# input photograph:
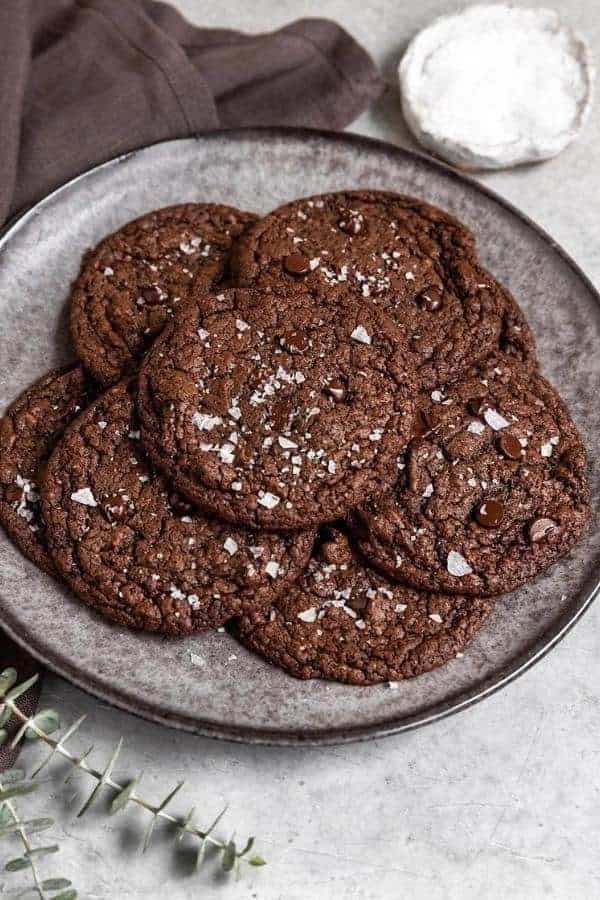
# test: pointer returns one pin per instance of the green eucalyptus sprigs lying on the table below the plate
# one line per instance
(40, 727)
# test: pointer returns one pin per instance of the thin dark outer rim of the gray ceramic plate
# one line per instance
(328, 736)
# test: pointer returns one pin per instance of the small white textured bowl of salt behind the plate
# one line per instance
(495, 86)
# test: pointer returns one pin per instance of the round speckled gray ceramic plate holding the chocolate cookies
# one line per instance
(209, 684)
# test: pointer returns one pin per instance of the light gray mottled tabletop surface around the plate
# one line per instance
(501, 801)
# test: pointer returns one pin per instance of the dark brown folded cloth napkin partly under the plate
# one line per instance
(84, 80)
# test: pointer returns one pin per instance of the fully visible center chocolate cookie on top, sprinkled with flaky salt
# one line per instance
(275, 410)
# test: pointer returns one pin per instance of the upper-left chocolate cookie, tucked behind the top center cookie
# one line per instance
(131, 283)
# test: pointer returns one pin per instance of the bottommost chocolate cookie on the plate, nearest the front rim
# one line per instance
(345, 622)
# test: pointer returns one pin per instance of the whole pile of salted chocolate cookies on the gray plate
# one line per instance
(326, 427)
